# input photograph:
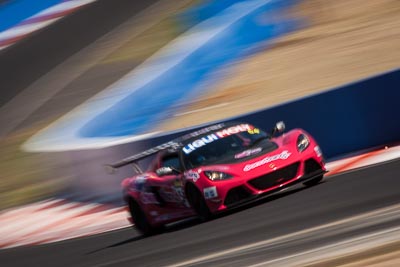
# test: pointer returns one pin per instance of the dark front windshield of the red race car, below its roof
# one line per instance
(211, 149)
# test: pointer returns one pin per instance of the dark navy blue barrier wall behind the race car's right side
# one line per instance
(351, 118)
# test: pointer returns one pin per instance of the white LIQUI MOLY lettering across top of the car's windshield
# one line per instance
(217, 135)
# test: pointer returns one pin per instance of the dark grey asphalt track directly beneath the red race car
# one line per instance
(339, 197)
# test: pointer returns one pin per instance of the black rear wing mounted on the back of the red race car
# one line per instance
(142, 155)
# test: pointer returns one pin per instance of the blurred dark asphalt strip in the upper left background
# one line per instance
(26, 61)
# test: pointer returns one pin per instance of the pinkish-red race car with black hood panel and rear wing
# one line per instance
(215, 169)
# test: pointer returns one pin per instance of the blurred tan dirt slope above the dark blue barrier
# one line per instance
(346, 40)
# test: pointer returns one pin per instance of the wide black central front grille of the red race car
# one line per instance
(277, 177)
